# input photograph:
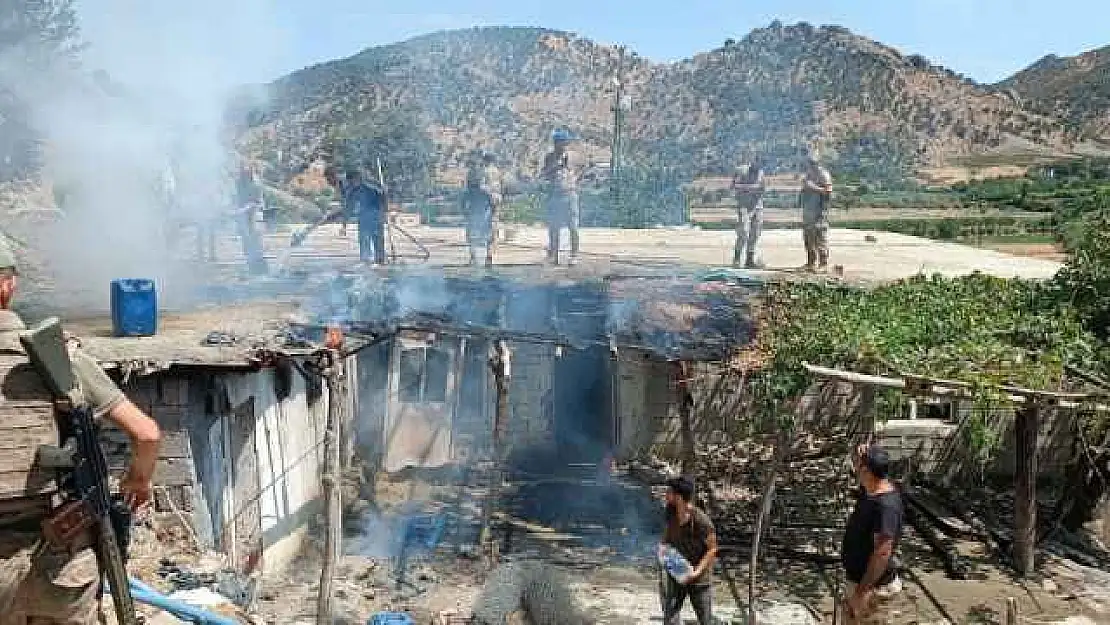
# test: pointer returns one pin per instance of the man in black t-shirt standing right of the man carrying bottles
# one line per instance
(872, 537)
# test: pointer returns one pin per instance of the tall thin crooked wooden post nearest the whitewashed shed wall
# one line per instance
(334, 375)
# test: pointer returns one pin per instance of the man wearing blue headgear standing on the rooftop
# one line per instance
(561, 174)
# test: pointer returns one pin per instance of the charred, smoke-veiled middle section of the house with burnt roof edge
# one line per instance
(593, 369)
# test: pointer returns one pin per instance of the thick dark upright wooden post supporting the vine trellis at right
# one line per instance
(1025, 488)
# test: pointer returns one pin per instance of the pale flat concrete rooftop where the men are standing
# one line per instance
(613, 251)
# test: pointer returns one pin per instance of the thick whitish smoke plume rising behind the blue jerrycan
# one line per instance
(152, 88)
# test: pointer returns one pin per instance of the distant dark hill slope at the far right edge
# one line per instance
(1077, 89)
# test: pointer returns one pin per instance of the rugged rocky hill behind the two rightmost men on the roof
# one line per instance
(833, 85)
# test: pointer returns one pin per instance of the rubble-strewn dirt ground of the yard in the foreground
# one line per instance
(619, 586)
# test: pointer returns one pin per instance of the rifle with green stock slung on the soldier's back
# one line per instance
(90, 506)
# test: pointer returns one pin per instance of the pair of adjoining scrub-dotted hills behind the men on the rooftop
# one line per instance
(773, 93)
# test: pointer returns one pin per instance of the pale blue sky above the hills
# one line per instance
(259, 41)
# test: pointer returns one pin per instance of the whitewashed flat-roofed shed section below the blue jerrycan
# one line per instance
(243, 419)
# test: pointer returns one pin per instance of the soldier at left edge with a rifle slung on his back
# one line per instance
(41, 583)
